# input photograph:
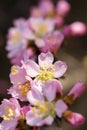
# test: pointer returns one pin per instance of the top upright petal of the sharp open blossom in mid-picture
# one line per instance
(45, 60)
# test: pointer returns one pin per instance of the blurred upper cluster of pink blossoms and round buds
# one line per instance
(44, 30)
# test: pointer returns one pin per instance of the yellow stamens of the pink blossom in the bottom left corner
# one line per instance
(9, 113)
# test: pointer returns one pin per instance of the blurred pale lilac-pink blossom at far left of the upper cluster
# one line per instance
(18, 40)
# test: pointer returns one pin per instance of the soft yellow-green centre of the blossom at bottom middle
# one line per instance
(43, 109)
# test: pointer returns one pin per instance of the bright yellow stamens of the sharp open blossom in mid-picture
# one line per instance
(45, 75)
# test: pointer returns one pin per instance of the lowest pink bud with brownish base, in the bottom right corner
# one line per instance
(74, 119)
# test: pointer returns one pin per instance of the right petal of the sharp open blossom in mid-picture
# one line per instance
(59, 69)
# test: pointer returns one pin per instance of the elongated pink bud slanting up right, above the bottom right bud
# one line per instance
(77, 90)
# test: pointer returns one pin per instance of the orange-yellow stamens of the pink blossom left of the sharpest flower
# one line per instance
(24, 88)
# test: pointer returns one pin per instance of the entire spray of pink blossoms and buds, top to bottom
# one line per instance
(37, 95)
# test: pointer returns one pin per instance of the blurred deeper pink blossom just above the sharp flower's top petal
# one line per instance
(52, 42)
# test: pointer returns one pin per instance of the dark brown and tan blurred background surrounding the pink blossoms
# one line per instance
(74, 53)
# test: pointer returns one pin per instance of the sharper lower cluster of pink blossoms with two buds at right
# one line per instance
(38, 86)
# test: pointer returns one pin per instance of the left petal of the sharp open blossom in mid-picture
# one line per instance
(32, 69)
